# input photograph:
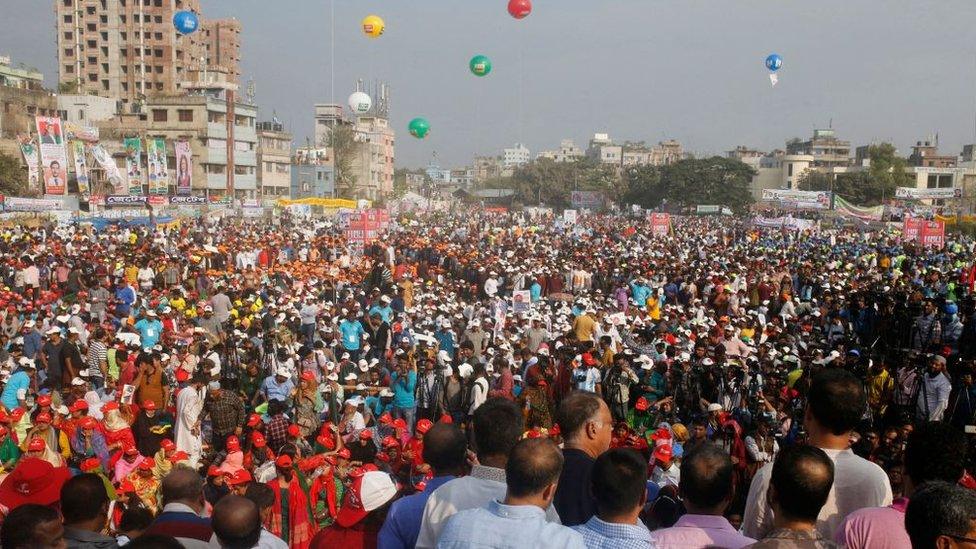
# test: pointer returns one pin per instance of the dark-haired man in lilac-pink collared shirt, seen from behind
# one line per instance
(706, 488)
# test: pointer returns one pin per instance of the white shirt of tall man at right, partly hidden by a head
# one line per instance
(858, 483)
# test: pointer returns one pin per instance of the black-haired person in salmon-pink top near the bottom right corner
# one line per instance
(935, 451)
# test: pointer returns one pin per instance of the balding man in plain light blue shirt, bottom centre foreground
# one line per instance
(531, 475)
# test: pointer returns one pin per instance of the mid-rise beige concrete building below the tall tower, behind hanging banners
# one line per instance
(220, 129)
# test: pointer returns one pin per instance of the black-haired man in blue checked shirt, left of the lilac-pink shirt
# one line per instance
(617, 483)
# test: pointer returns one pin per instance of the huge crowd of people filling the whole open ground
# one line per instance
(486, 380)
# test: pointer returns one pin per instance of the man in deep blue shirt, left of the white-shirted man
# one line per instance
(445, 452)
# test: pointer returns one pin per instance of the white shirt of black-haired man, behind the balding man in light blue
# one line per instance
(485, 484)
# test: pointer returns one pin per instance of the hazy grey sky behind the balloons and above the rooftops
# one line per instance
(893, 70)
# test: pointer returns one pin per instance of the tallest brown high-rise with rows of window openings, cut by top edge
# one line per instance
(124, 50)
